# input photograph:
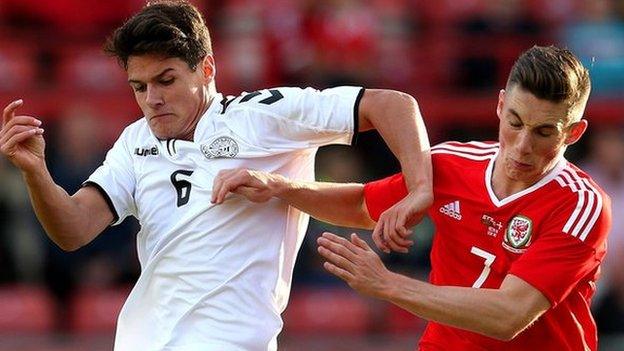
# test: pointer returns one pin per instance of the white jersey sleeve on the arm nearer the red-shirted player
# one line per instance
(295, 118)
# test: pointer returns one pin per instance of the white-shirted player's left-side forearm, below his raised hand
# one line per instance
(63, 219)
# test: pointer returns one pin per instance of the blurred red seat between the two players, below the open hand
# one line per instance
(328, 312)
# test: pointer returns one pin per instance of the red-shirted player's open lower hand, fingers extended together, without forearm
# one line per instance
(355, 263)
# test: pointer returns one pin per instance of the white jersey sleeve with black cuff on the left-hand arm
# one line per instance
(115, 180)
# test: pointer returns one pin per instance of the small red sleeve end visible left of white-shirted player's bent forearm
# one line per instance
(382, 194)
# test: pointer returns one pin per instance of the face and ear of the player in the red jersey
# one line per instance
(533, 135)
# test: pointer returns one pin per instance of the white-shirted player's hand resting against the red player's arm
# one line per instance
(391, 230)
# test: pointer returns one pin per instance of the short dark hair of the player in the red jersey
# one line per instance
(551, 73)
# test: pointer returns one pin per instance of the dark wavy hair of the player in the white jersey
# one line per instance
(168, 28)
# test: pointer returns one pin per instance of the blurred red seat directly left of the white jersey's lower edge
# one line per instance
(94, 311)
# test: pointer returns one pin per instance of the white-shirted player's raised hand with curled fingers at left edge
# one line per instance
(21, 138)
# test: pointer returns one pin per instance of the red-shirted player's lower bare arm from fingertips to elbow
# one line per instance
(498, 313)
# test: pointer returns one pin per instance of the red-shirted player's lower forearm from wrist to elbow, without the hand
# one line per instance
(485, 311)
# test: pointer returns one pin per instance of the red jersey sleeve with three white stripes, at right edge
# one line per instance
(561, 256)
